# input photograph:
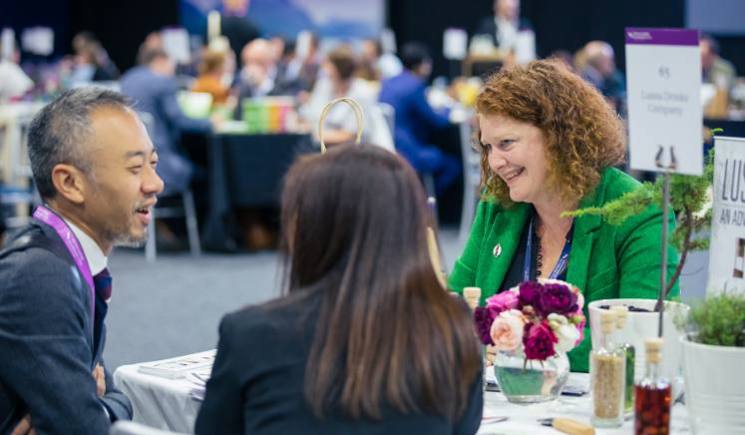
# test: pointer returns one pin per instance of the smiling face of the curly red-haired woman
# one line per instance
(517, 154)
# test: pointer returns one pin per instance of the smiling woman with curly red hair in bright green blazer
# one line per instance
(549, 143)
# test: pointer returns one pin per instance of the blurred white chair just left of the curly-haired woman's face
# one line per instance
(471, 179)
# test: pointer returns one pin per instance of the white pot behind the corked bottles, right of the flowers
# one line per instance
(643, 325)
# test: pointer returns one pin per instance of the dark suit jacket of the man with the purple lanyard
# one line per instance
(49, 345)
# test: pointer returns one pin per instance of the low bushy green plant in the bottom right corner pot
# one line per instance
(719, 321)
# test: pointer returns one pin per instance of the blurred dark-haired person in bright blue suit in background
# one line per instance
(415, 119)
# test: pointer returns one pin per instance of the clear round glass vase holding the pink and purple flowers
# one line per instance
(531, 381)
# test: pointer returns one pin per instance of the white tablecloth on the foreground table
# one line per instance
(167, 404)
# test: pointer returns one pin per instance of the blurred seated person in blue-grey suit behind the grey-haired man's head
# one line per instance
(153, 88)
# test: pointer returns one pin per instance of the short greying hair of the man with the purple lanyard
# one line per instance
(58, 133)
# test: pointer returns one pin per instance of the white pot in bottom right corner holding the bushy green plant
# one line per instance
(715, 387)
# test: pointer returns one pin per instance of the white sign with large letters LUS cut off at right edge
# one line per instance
(727, 248)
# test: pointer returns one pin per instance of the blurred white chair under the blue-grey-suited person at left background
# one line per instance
(187, 210)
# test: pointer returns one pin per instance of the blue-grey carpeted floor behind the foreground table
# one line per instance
(173, 306)
